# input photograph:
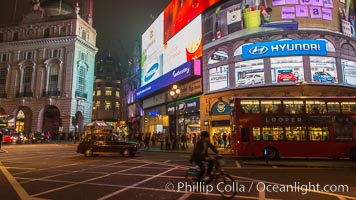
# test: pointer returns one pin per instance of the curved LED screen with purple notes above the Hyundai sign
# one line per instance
(237, 18)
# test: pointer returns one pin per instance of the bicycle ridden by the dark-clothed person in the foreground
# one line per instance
(223, 180)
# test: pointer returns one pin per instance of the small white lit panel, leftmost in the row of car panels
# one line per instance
(219, 78)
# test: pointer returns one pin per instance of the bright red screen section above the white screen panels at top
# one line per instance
(179, 13)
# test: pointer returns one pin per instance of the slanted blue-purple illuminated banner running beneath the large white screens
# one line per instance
(181, 72)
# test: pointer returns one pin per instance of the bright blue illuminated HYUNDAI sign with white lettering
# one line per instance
(284, 48)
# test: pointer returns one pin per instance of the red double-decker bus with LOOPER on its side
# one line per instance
(295, 127)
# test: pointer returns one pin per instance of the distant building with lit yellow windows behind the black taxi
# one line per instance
(106, 96)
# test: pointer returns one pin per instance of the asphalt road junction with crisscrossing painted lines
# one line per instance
(56, 171)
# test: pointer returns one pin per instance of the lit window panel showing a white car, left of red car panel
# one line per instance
(249, 73)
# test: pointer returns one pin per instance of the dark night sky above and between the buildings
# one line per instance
(118, 22)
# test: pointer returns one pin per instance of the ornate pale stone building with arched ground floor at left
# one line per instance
(47, 69)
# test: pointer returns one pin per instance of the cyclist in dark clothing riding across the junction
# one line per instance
(200, 154)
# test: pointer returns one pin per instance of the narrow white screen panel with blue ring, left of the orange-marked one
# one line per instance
(152, 52)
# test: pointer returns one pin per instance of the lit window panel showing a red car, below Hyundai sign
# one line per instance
(287, 69)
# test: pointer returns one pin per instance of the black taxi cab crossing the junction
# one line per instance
(106, 143)
